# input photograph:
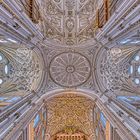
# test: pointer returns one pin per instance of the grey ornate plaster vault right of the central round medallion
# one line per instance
(113, 70)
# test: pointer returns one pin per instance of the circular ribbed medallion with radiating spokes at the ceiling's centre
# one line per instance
(69, 69)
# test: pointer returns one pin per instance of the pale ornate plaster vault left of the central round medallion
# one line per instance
(24, 68)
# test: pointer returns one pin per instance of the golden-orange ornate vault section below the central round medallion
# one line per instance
(70, 111)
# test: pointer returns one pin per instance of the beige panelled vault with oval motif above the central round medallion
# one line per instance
(69, 22)
